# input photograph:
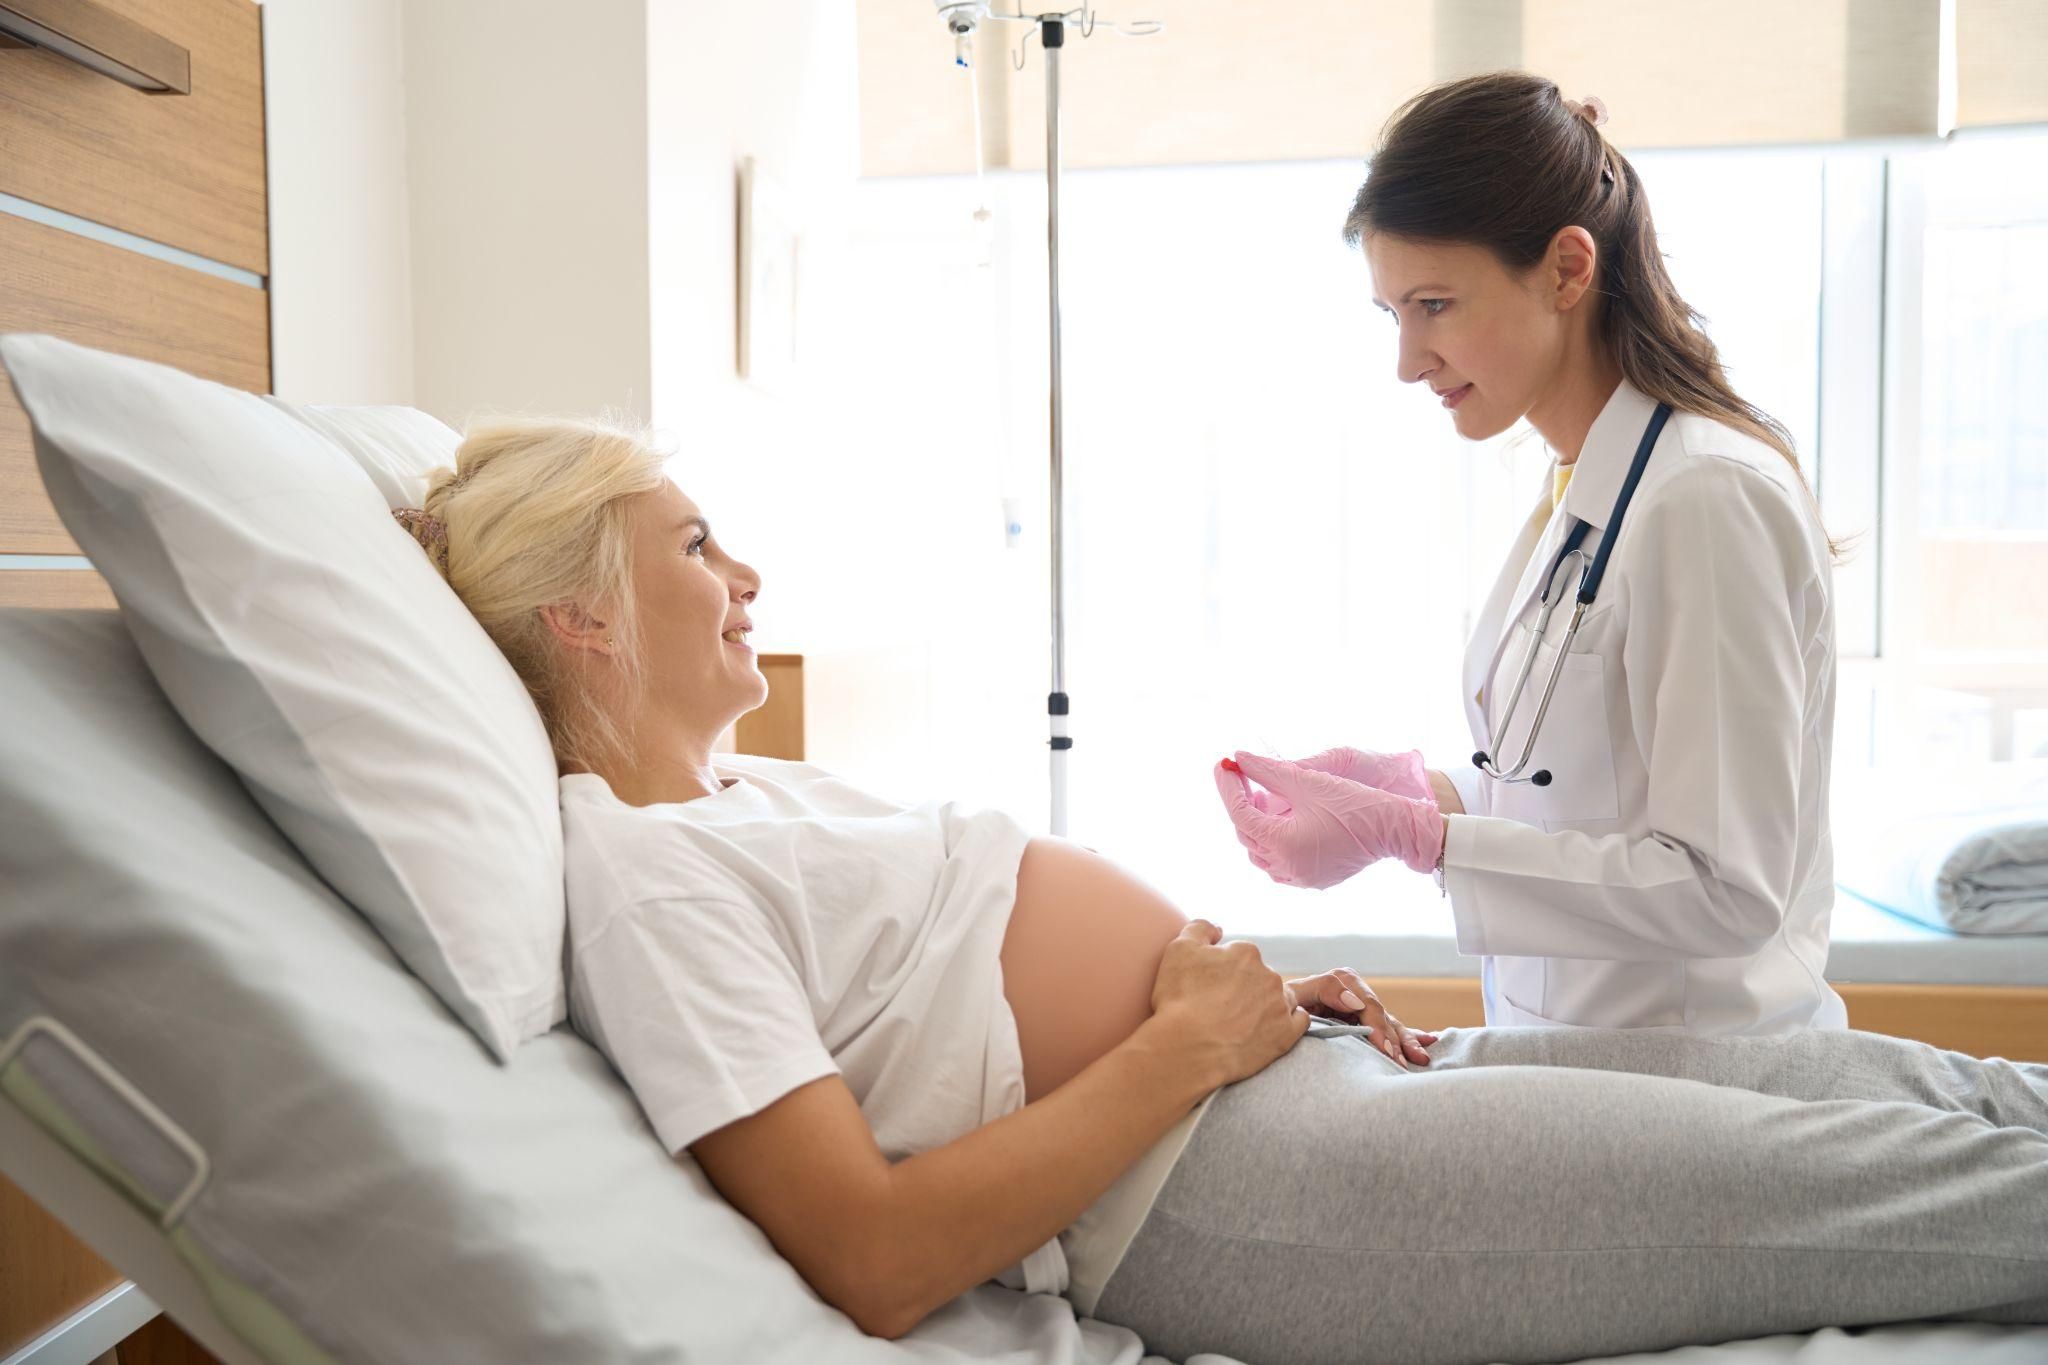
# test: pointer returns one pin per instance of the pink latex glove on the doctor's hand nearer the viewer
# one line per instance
(1330, 826)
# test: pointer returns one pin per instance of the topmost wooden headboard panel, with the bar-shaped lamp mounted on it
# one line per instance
(179, 169)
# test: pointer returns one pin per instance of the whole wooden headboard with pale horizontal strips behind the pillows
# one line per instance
(130, 222)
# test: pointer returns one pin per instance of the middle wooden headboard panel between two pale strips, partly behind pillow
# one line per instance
(116, 300)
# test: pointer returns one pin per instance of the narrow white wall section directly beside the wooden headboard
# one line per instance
(341, 273)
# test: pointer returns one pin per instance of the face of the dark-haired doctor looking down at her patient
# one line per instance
(1484, 339)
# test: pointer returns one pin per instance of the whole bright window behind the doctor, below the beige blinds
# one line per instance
(1273, 545)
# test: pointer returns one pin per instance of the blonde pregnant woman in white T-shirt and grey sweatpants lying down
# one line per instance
(923, 1049)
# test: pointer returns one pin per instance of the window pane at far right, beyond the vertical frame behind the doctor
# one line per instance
(1963, 672)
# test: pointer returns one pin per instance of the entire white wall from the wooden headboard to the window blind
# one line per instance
(478, 208)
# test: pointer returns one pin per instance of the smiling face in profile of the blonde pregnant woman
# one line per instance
(693, 615)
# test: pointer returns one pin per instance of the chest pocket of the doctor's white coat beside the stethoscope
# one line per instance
(1574, 744)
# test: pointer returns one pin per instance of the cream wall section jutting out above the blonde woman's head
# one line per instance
(527, 175)
